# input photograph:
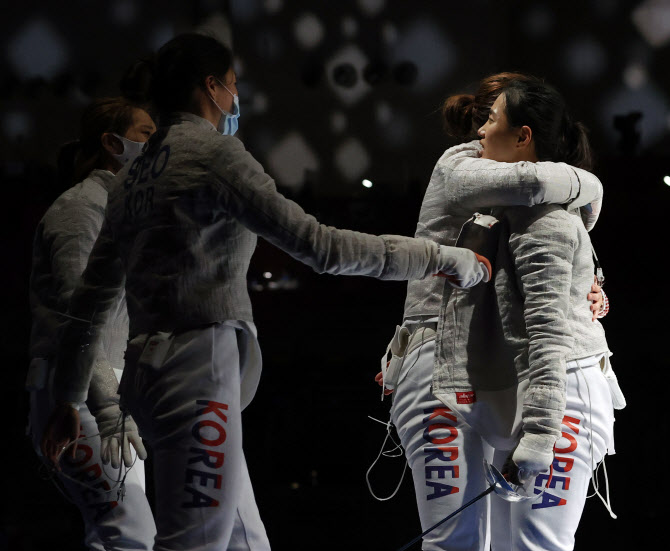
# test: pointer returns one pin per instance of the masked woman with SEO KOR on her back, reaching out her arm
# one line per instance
(180, 228)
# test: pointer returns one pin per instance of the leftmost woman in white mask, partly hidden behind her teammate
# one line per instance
(62, 244)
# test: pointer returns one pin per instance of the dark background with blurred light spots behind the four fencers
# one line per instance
(332, 93)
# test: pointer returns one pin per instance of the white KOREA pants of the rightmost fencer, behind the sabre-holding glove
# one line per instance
(550, 522)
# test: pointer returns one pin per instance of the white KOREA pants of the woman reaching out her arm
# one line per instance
(188, 411)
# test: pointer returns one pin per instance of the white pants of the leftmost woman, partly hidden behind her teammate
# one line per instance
(109, 522)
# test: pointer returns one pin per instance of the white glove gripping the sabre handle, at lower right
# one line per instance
(532, 456)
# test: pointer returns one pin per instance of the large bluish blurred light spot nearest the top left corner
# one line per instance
(38, 50)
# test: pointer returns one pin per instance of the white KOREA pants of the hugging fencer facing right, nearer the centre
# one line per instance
(446, 457)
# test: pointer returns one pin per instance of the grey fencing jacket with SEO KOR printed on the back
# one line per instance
(179, 232)
